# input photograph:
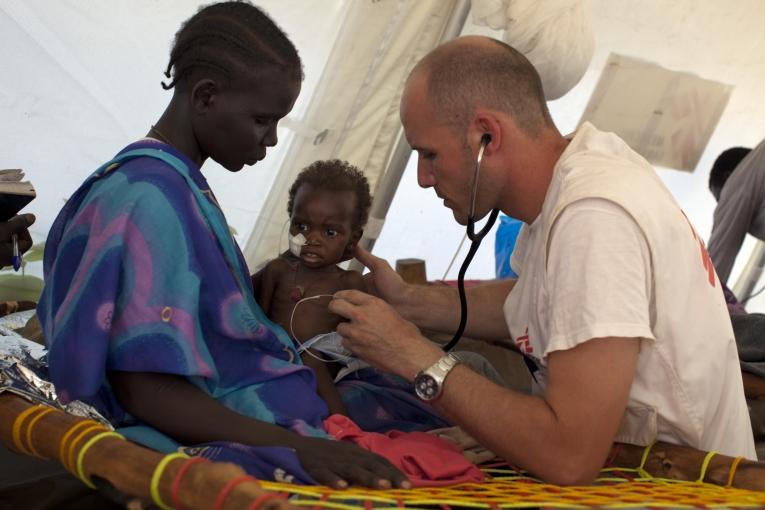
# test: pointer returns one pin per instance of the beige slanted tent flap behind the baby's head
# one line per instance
(355, 114)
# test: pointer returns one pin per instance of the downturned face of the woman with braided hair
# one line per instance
(239, 122)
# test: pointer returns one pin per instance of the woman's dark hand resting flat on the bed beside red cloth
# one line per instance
(339, 464)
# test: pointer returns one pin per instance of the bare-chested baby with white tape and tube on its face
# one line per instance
(328, 207)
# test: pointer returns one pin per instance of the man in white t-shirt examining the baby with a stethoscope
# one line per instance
(624, 320)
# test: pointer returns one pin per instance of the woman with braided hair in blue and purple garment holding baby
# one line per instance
(147, 308)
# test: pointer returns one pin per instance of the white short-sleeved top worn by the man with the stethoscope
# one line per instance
(612, 255)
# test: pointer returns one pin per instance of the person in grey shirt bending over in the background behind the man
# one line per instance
(737, 181)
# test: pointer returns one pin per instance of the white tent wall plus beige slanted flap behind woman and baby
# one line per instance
(82, 80)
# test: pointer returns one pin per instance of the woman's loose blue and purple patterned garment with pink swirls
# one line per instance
(142, 274)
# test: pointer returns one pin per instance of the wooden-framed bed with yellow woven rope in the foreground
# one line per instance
(101, 457)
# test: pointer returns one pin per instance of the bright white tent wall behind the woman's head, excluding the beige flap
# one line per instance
(81, 78)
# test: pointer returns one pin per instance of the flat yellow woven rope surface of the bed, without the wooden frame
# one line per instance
(509, 488)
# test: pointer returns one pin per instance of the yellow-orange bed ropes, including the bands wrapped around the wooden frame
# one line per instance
(506, 487)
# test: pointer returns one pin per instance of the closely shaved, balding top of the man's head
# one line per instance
(479, 72)
